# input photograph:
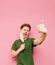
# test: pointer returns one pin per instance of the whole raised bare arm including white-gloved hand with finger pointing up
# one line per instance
(41, 29)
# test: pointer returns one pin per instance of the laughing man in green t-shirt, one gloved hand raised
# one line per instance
(23, 48)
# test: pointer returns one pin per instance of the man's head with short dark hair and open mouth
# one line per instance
(25, 29)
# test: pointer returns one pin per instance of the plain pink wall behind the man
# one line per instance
(15, 12)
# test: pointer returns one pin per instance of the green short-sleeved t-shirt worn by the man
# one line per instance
(24, 57)
